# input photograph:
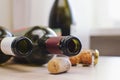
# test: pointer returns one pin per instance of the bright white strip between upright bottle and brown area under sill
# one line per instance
(83, 17)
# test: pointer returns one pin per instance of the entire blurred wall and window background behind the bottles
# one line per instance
(97, 22)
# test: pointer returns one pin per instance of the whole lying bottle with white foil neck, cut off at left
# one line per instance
(13, 46)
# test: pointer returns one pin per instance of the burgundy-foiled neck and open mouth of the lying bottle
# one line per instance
(66, 45)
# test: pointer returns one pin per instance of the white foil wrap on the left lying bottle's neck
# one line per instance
(6, 45)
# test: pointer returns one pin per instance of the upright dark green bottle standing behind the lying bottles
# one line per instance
(60, 18)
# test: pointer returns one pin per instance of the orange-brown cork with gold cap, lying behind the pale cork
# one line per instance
(85, 57)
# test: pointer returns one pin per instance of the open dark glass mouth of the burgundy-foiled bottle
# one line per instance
(72, 45)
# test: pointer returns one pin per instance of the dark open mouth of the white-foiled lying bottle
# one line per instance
(22, 46)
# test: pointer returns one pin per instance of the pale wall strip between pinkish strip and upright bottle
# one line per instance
(40, 12)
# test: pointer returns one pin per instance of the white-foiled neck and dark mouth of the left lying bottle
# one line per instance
(14, 46)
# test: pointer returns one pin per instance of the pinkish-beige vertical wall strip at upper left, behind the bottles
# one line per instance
(21, 13)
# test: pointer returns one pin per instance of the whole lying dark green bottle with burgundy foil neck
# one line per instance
(45, 46)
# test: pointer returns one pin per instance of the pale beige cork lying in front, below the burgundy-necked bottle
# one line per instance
(58, 65)
